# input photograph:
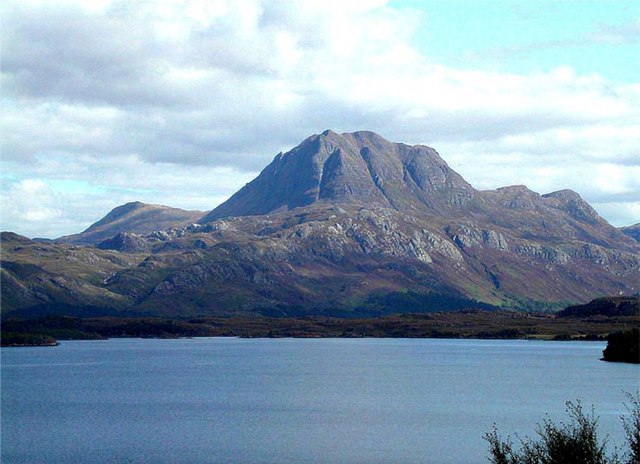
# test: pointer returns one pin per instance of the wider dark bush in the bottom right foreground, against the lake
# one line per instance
(576, 442)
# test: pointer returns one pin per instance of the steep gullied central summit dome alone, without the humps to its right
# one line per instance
(350, 168)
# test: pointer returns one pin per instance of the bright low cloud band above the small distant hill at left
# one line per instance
(53, 202)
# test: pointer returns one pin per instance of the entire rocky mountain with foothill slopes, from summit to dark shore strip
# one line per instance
(342, 224)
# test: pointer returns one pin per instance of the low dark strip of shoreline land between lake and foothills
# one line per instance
(455, 324)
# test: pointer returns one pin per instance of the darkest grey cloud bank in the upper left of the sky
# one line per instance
(72, 56)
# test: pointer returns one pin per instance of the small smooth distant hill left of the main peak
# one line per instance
(136, 218)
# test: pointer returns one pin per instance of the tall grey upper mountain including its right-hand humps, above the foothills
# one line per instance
(363, 169)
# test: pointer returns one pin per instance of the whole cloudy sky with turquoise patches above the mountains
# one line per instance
(181, 103)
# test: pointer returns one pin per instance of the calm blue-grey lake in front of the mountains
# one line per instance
(230, 400)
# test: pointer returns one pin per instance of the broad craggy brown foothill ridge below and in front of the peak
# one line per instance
(315, 261)
